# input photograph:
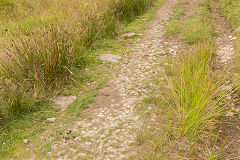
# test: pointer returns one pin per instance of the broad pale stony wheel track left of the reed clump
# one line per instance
(111, 131)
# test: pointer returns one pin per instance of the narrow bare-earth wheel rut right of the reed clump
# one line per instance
(230, 124)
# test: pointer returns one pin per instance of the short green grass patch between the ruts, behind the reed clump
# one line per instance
(198, 27)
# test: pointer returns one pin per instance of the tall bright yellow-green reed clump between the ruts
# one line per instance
(198, 94)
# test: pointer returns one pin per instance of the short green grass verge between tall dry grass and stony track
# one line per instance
(30, 126)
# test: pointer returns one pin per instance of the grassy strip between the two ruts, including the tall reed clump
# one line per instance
(186, 106)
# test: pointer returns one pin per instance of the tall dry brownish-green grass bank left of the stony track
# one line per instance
(39, 54)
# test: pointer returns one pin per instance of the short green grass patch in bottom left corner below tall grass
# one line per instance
(14, 130)
